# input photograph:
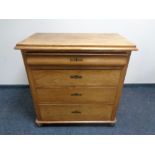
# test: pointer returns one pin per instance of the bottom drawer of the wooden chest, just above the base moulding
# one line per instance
(84, 112)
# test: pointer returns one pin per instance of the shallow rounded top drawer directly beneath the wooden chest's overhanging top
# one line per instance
(84, 60)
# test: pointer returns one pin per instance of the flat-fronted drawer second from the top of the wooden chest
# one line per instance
(51, 78)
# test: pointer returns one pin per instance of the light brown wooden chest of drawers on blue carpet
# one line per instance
(76, 78)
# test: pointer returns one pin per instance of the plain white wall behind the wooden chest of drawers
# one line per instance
(142, 32)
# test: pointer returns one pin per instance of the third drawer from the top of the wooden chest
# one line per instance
(67, 95)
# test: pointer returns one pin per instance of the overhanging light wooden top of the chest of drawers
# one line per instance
(76, 41)
